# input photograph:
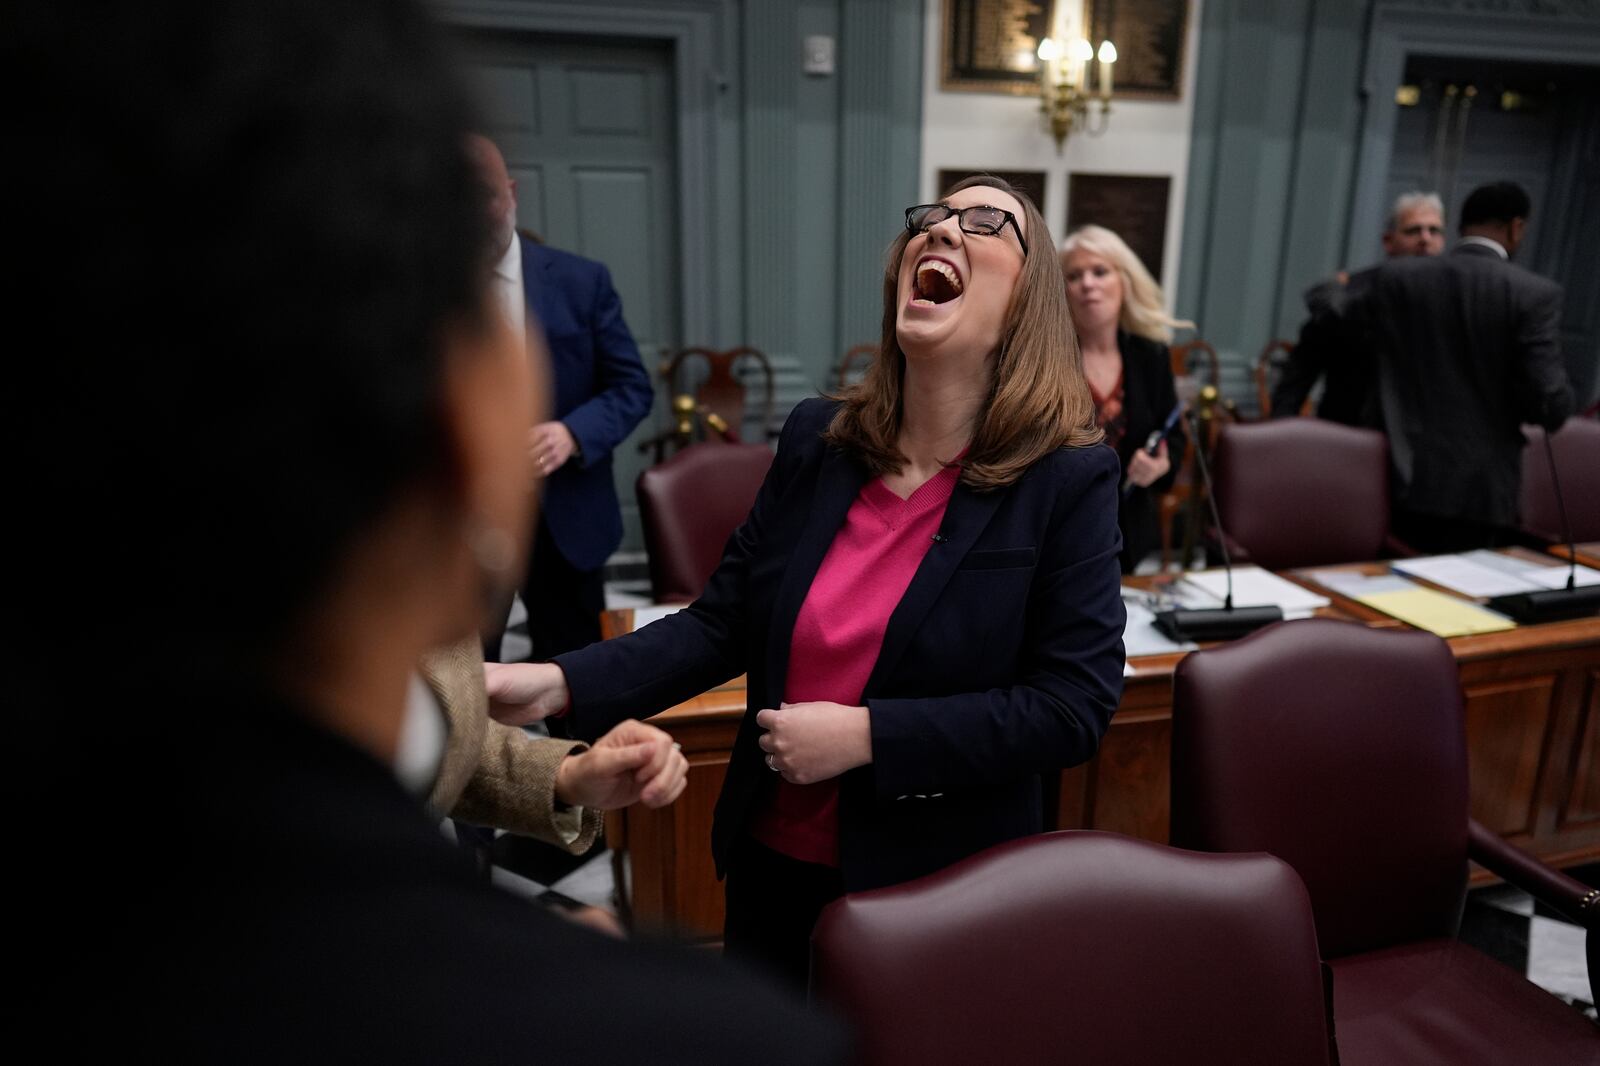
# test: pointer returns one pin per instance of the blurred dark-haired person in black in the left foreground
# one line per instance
(284, 412)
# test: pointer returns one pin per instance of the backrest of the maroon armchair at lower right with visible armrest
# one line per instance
(1340, 750)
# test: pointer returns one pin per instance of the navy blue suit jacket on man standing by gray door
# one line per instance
(602, 393)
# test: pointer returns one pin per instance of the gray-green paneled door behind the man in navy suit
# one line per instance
(588, 129)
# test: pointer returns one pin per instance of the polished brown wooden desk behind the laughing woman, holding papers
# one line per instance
(1534, 748)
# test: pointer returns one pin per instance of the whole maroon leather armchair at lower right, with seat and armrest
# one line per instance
(1342, 750)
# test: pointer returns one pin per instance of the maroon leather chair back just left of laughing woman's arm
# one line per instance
(690, 507)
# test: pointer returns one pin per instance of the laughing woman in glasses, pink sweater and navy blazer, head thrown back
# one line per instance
(926, 595)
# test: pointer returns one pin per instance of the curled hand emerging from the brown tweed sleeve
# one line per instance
(633, 764)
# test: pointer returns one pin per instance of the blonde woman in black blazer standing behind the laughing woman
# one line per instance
(1124, 331)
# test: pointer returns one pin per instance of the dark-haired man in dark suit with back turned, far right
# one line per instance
(1468, 351)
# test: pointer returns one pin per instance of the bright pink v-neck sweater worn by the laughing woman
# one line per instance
(839, 635)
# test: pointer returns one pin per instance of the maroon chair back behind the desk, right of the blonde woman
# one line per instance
(1303, 492)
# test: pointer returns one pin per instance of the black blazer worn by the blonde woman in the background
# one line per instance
(1148, 398)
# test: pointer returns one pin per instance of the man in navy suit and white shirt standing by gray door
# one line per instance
(602, 393)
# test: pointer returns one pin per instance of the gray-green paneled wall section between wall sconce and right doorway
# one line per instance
(1268, 202)
